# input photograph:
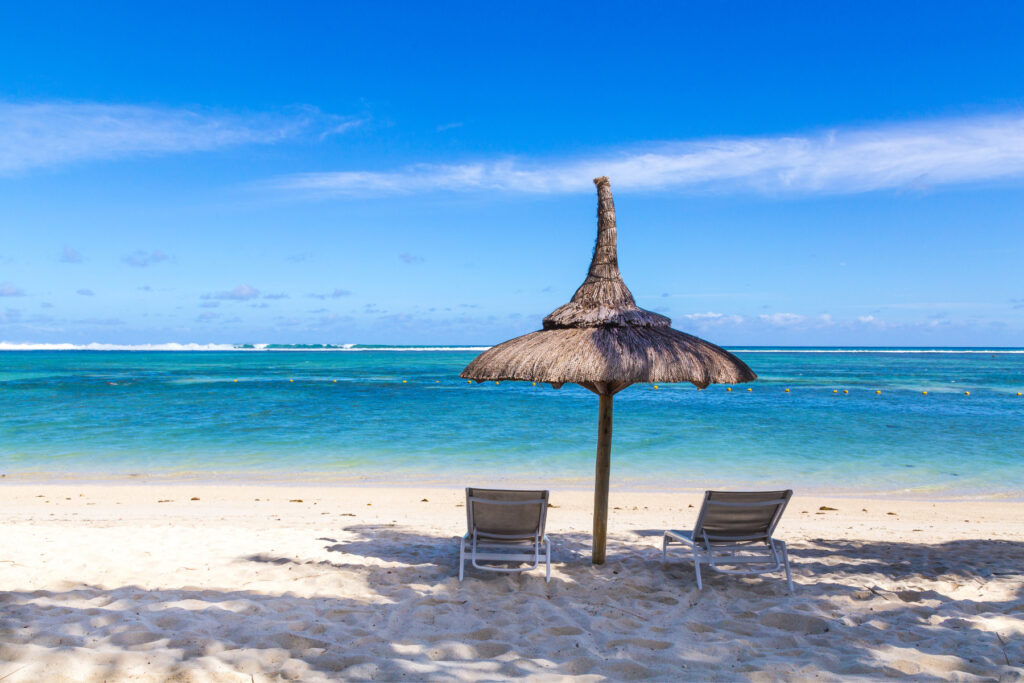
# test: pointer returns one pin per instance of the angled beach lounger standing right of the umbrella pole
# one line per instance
(735, 530)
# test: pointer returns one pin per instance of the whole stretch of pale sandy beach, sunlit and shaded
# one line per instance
(264, 583)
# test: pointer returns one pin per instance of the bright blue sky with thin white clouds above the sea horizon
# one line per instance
(816, 174)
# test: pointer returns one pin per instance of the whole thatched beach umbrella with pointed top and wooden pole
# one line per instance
(603, 341)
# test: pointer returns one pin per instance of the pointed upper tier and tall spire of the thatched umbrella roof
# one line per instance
(604, 298)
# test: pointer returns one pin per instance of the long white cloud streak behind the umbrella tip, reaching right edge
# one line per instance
(841, 161)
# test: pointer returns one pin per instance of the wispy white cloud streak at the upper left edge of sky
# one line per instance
(41, 135)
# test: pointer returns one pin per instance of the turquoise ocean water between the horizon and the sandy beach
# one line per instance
(403, 416)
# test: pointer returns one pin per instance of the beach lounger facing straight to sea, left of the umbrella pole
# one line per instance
(505, 527)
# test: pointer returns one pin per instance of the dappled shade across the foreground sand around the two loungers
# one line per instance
(860, 609)
